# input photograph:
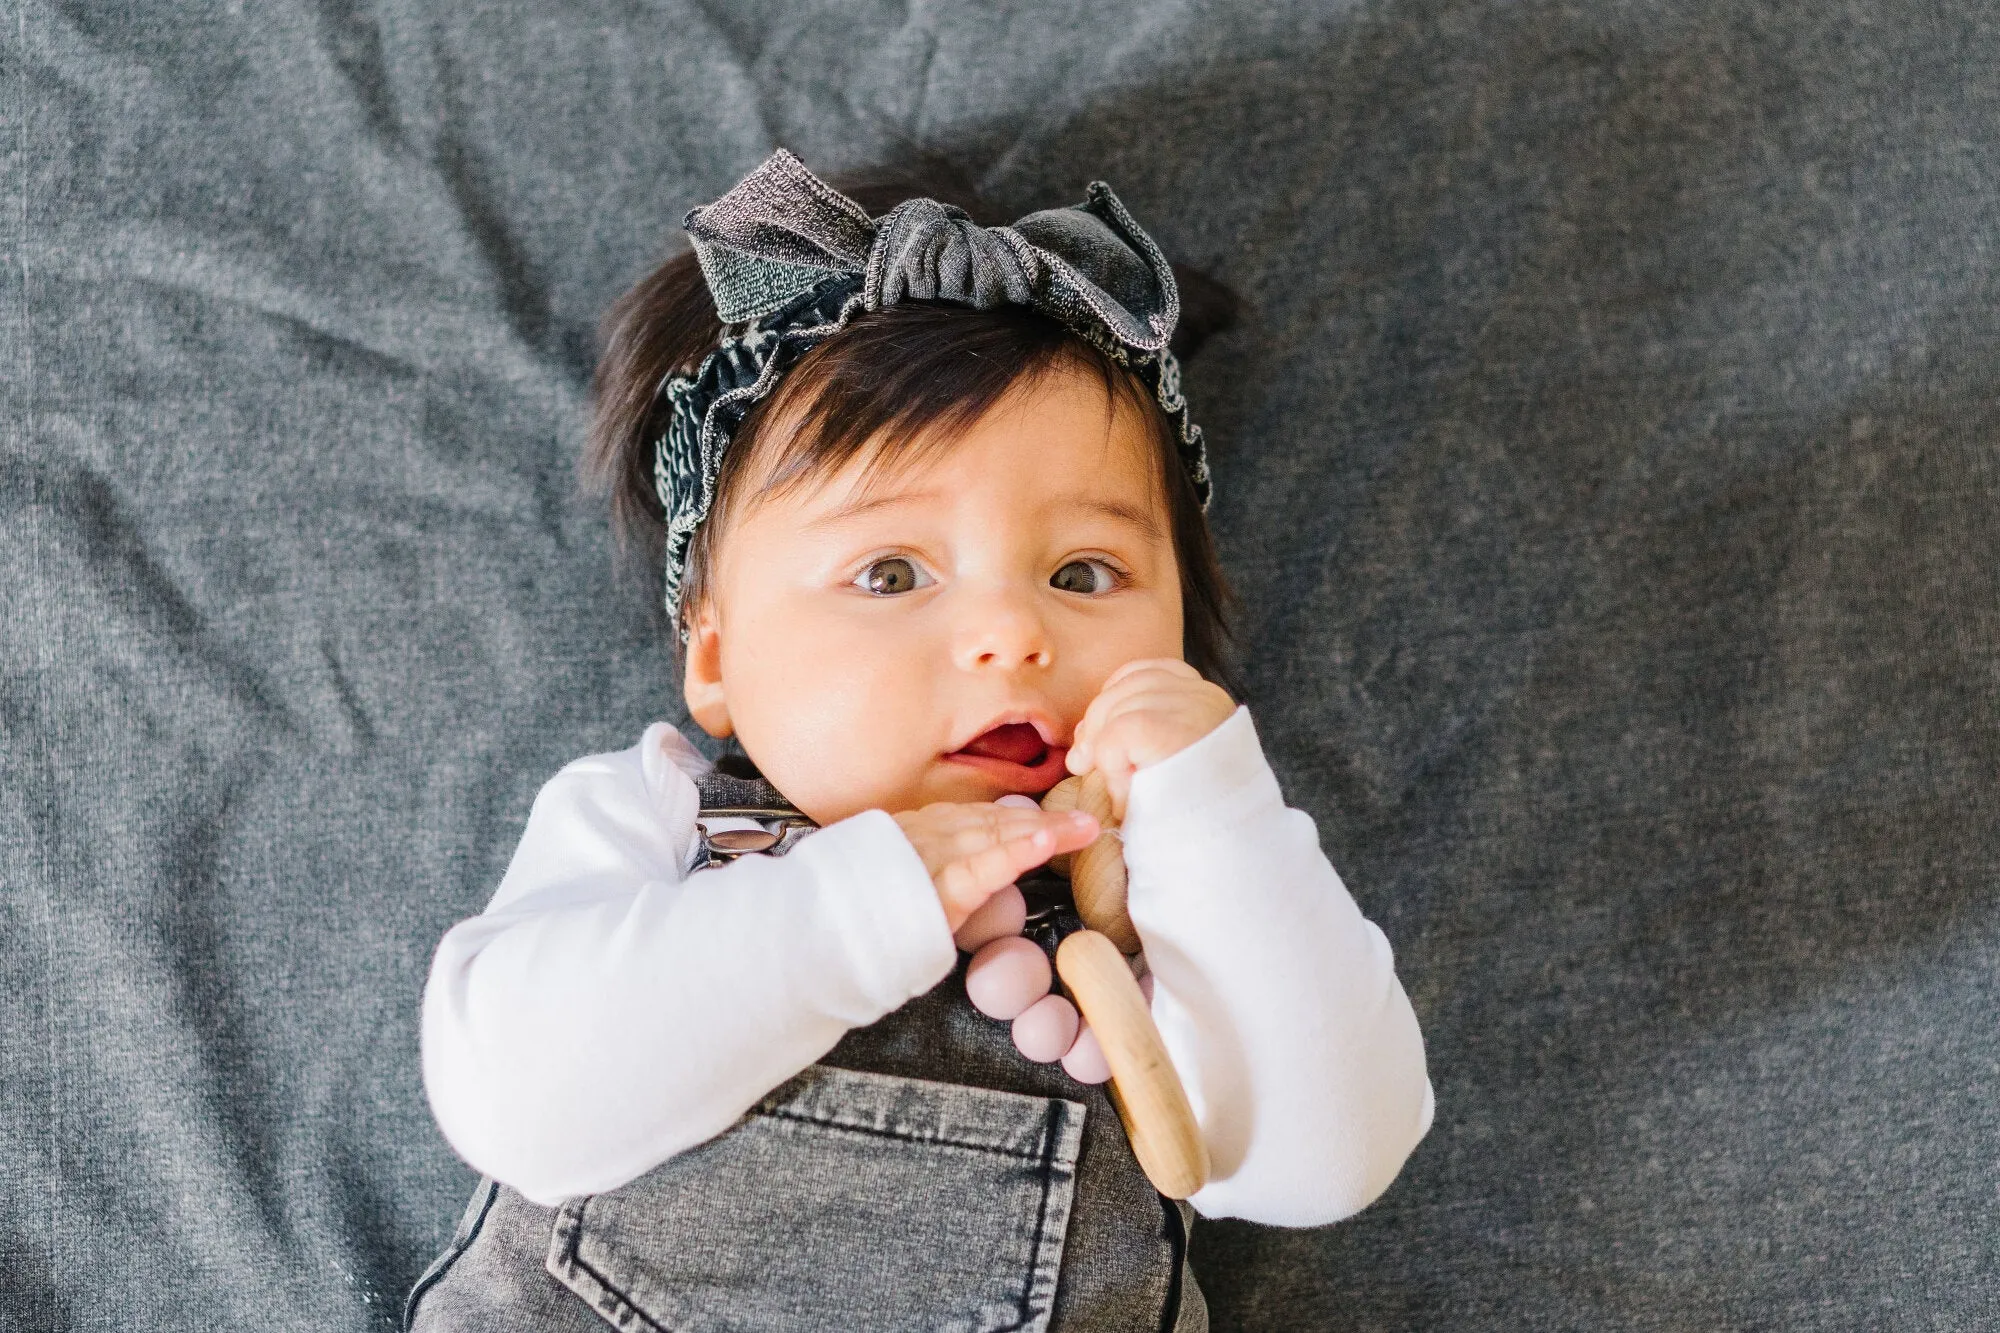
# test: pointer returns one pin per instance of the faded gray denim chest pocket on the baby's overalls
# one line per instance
(843, 1200)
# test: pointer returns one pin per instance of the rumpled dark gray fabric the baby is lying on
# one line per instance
(1607, 459)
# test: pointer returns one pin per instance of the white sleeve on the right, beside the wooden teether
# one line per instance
(1275, 998)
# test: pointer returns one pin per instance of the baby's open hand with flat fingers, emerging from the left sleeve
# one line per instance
(975, 850)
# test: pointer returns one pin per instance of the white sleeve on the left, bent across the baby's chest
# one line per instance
(605, 1014)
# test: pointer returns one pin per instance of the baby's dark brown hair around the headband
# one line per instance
(915, 373)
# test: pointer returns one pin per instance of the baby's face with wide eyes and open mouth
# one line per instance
(861, 637)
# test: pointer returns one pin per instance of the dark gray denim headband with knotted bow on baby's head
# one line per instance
(793, 261)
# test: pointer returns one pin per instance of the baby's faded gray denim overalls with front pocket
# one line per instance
(923, 1176)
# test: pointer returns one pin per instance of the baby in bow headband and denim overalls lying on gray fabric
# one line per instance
(931, 513)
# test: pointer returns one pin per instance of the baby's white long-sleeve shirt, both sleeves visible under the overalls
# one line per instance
(609, 1010)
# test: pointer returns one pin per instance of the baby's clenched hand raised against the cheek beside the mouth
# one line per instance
(1147, 712)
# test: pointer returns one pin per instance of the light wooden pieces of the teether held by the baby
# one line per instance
(1093, 966)
